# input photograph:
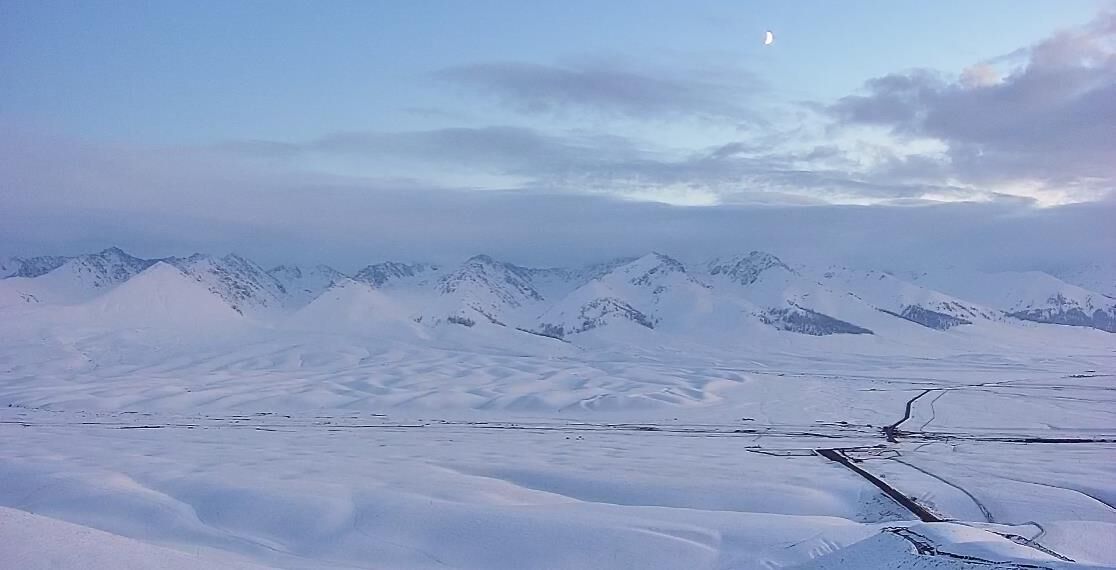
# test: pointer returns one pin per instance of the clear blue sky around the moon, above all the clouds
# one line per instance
(199, 72)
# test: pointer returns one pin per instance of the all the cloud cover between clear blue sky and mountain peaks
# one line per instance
(1036, 123)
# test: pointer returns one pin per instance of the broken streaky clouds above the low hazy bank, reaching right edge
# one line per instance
(1035, 124)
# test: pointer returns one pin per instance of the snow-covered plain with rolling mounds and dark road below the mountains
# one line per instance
(181, 436)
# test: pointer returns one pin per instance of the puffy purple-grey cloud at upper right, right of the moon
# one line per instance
(1048, 121)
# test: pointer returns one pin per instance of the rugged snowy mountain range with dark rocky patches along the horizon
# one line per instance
(724, 301)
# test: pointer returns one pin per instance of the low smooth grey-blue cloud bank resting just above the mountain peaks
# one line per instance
(63, 198)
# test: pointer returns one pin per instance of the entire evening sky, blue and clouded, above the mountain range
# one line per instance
(562, 132)
